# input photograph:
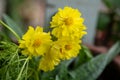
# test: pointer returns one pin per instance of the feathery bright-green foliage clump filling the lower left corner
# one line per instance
(12, 64)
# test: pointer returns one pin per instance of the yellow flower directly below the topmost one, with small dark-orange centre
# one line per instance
(67, 48)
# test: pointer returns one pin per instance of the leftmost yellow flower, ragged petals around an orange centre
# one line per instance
(35, 42)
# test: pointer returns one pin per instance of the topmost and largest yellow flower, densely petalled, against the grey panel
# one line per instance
(68, 22)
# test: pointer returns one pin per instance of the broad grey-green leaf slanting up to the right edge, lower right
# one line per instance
(92, 69)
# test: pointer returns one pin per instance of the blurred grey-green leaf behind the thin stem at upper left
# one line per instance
(13, 25)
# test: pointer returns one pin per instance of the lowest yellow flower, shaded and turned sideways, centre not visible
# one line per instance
(49, 60)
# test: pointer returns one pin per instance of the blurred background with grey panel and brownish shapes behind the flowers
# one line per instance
(102, 18)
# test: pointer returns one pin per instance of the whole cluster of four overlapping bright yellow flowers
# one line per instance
(68, 28)
